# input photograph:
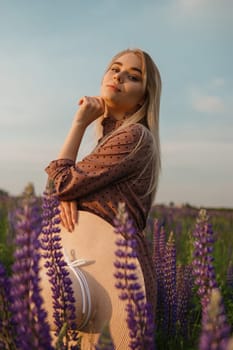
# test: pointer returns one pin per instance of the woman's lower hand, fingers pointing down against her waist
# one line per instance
(68, 214)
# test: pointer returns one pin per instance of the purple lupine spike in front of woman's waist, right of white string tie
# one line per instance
(139, 313)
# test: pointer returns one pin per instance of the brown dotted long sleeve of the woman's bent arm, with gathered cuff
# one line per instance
(112, 161)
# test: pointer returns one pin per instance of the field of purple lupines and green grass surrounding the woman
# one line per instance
(192, 252)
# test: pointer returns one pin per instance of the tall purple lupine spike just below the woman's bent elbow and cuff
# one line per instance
(57, 269)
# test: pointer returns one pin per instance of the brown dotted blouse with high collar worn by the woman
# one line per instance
(117, 170)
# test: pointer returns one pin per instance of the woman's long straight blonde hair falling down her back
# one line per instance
(149, 110)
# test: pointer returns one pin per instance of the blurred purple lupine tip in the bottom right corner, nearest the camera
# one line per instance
(215, 329)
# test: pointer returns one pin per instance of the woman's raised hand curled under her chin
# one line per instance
(91, 108)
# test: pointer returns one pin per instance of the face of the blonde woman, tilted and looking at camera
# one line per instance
(122, 85)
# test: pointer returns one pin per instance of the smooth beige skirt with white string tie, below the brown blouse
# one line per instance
(92, 246)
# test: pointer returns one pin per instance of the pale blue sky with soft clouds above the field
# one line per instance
(52, 52)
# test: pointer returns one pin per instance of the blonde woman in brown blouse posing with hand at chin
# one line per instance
(124, 167)
